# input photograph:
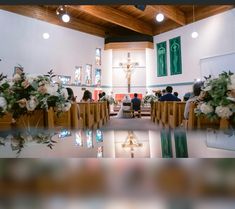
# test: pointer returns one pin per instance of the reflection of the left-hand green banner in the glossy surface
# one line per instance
(166, 143)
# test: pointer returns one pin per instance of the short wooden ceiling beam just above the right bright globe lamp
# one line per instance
(171, 13)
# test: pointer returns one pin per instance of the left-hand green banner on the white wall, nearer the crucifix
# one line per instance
(161, 59)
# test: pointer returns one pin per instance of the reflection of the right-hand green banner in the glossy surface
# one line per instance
(181, 147)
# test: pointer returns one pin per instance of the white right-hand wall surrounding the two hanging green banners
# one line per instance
(216, 37)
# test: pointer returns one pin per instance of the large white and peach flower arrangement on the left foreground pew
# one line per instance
(24, 94)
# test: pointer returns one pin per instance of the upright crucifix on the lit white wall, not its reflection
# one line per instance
(128, 68)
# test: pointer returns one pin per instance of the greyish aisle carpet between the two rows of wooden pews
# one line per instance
(143, 123)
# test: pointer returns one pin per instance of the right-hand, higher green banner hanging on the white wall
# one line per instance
(175, 56)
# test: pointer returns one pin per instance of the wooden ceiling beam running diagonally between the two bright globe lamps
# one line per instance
(116, 17)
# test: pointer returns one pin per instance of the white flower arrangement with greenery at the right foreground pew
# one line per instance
(218, 97)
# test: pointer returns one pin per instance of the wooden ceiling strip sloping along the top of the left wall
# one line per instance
(40, 13)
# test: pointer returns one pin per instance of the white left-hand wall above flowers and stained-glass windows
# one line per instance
(21, 43)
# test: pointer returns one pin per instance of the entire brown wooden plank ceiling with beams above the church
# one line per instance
(120, 20)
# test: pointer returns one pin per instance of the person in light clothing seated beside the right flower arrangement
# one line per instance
(196, 98)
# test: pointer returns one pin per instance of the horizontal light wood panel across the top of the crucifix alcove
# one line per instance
(129, 45)
